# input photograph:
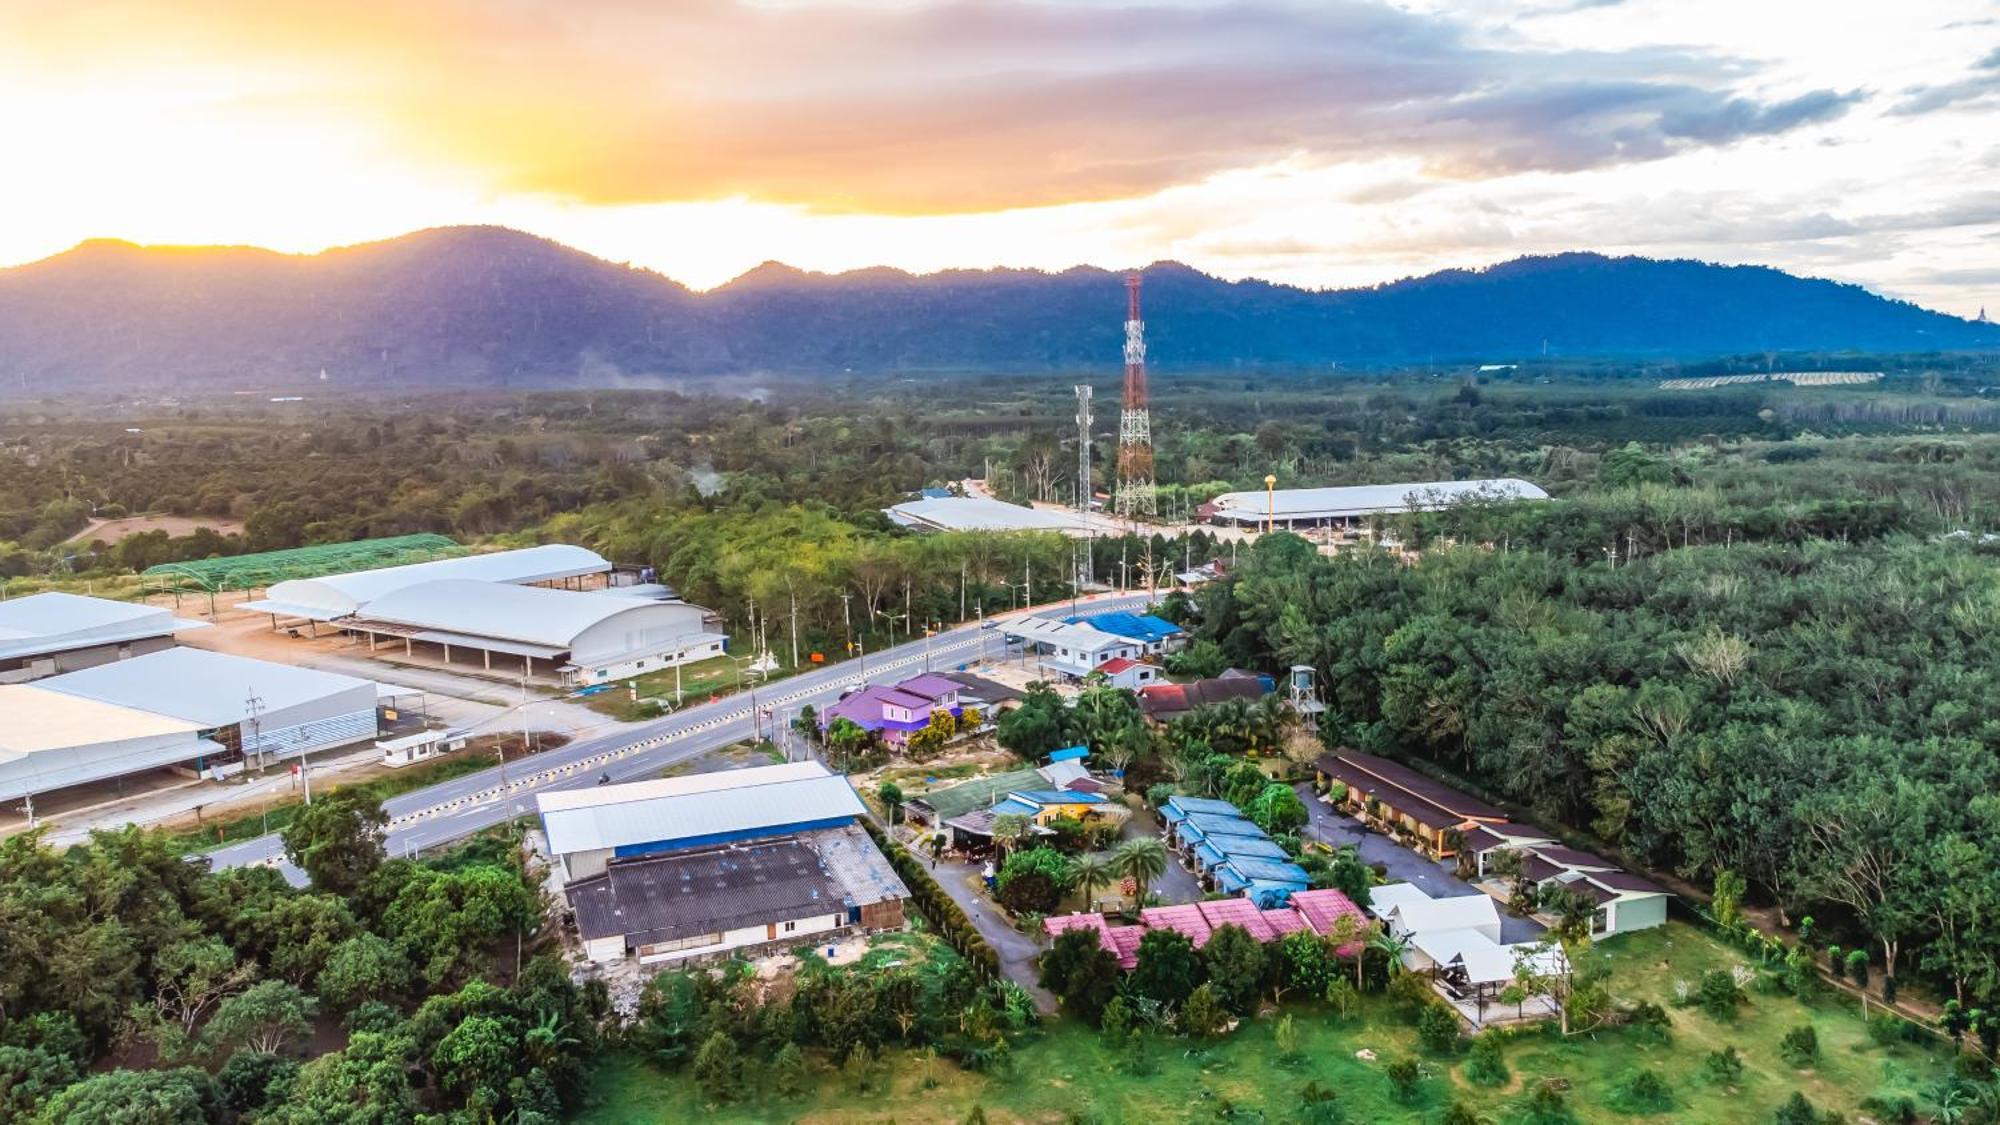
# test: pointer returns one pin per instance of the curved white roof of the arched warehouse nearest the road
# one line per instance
(533, 616)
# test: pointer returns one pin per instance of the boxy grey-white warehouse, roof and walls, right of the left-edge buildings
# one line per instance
(247, 708)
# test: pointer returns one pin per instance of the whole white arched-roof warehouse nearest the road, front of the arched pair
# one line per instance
(583, 638)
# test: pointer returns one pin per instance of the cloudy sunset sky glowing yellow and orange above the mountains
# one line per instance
(1323, 143)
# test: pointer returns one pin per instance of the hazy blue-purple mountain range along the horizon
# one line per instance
(495, 307)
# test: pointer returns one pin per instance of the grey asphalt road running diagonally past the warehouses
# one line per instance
(453, 810)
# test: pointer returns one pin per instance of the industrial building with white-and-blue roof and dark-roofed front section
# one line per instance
(719, 862)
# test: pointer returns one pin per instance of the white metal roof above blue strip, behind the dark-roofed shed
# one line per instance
(751, 806)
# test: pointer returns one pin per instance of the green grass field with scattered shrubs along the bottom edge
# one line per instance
(1069, 1074)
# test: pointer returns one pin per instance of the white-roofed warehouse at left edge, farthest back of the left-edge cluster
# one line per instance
(47, 636)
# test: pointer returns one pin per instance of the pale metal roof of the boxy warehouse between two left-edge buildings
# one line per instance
(205, 688)
